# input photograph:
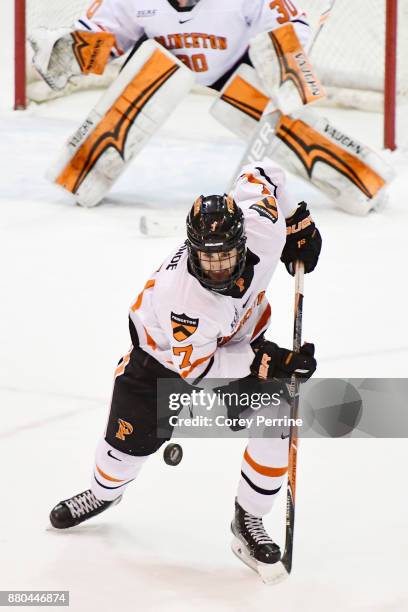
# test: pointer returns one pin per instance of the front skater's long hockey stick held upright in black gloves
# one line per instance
(293, 436)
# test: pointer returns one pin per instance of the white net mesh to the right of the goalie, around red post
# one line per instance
(349, 53)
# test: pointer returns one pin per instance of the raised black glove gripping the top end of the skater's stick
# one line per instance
(303, 241)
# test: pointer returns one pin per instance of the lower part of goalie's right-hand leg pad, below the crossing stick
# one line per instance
(353, 175)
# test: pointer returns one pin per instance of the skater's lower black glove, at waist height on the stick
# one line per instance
(271, 361)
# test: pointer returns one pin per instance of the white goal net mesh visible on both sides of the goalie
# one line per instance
(348, 54)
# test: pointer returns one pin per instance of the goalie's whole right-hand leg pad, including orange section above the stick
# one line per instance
(352, 174)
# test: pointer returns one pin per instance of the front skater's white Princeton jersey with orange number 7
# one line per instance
(200, 333)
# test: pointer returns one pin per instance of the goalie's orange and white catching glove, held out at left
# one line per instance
(62, 54)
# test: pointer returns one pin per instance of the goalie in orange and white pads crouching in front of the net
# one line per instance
(176, 43)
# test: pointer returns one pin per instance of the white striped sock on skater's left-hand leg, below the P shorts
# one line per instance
(113, 471)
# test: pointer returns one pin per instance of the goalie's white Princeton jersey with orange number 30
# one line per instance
(209, 39)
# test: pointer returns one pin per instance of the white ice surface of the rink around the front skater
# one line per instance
(68, 277)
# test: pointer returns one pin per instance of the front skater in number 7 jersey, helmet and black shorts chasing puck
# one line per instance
(202, 315)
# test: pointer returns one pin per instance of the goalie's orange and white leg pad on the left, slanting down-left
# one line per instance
(129, 112)
